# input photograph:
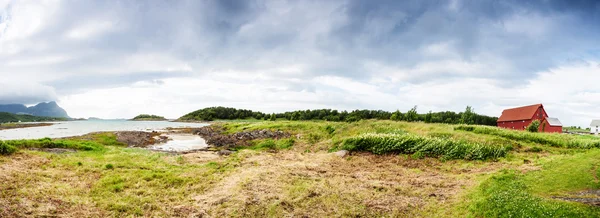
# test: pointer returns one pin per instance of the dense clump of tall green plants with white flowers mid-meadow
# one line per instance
(424, 146)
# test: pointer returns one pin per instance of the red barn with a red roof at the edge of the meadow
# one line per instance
(519, 118)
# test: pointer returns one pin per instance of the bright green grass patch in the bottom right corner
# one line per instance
(514, 194)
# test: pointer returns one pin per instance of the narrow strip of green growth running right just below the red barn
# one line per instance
(555, 140)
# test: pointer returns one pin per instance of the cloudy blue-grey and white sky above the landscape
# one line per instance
(120, 58)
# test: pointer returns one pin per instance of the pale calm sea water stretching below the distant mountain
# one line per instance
(75, 128)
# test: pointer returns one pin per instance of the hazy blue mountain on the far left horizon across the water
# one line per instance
(50, 109)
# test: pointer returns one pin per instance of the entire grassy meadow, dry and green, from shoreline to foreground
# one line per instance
(396, 169)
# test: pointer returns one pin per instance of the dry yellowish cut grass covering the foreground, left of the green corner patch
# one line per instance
(248, 184)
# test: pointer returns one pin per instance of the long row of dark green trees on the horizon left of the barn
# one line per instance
(224, 113)
